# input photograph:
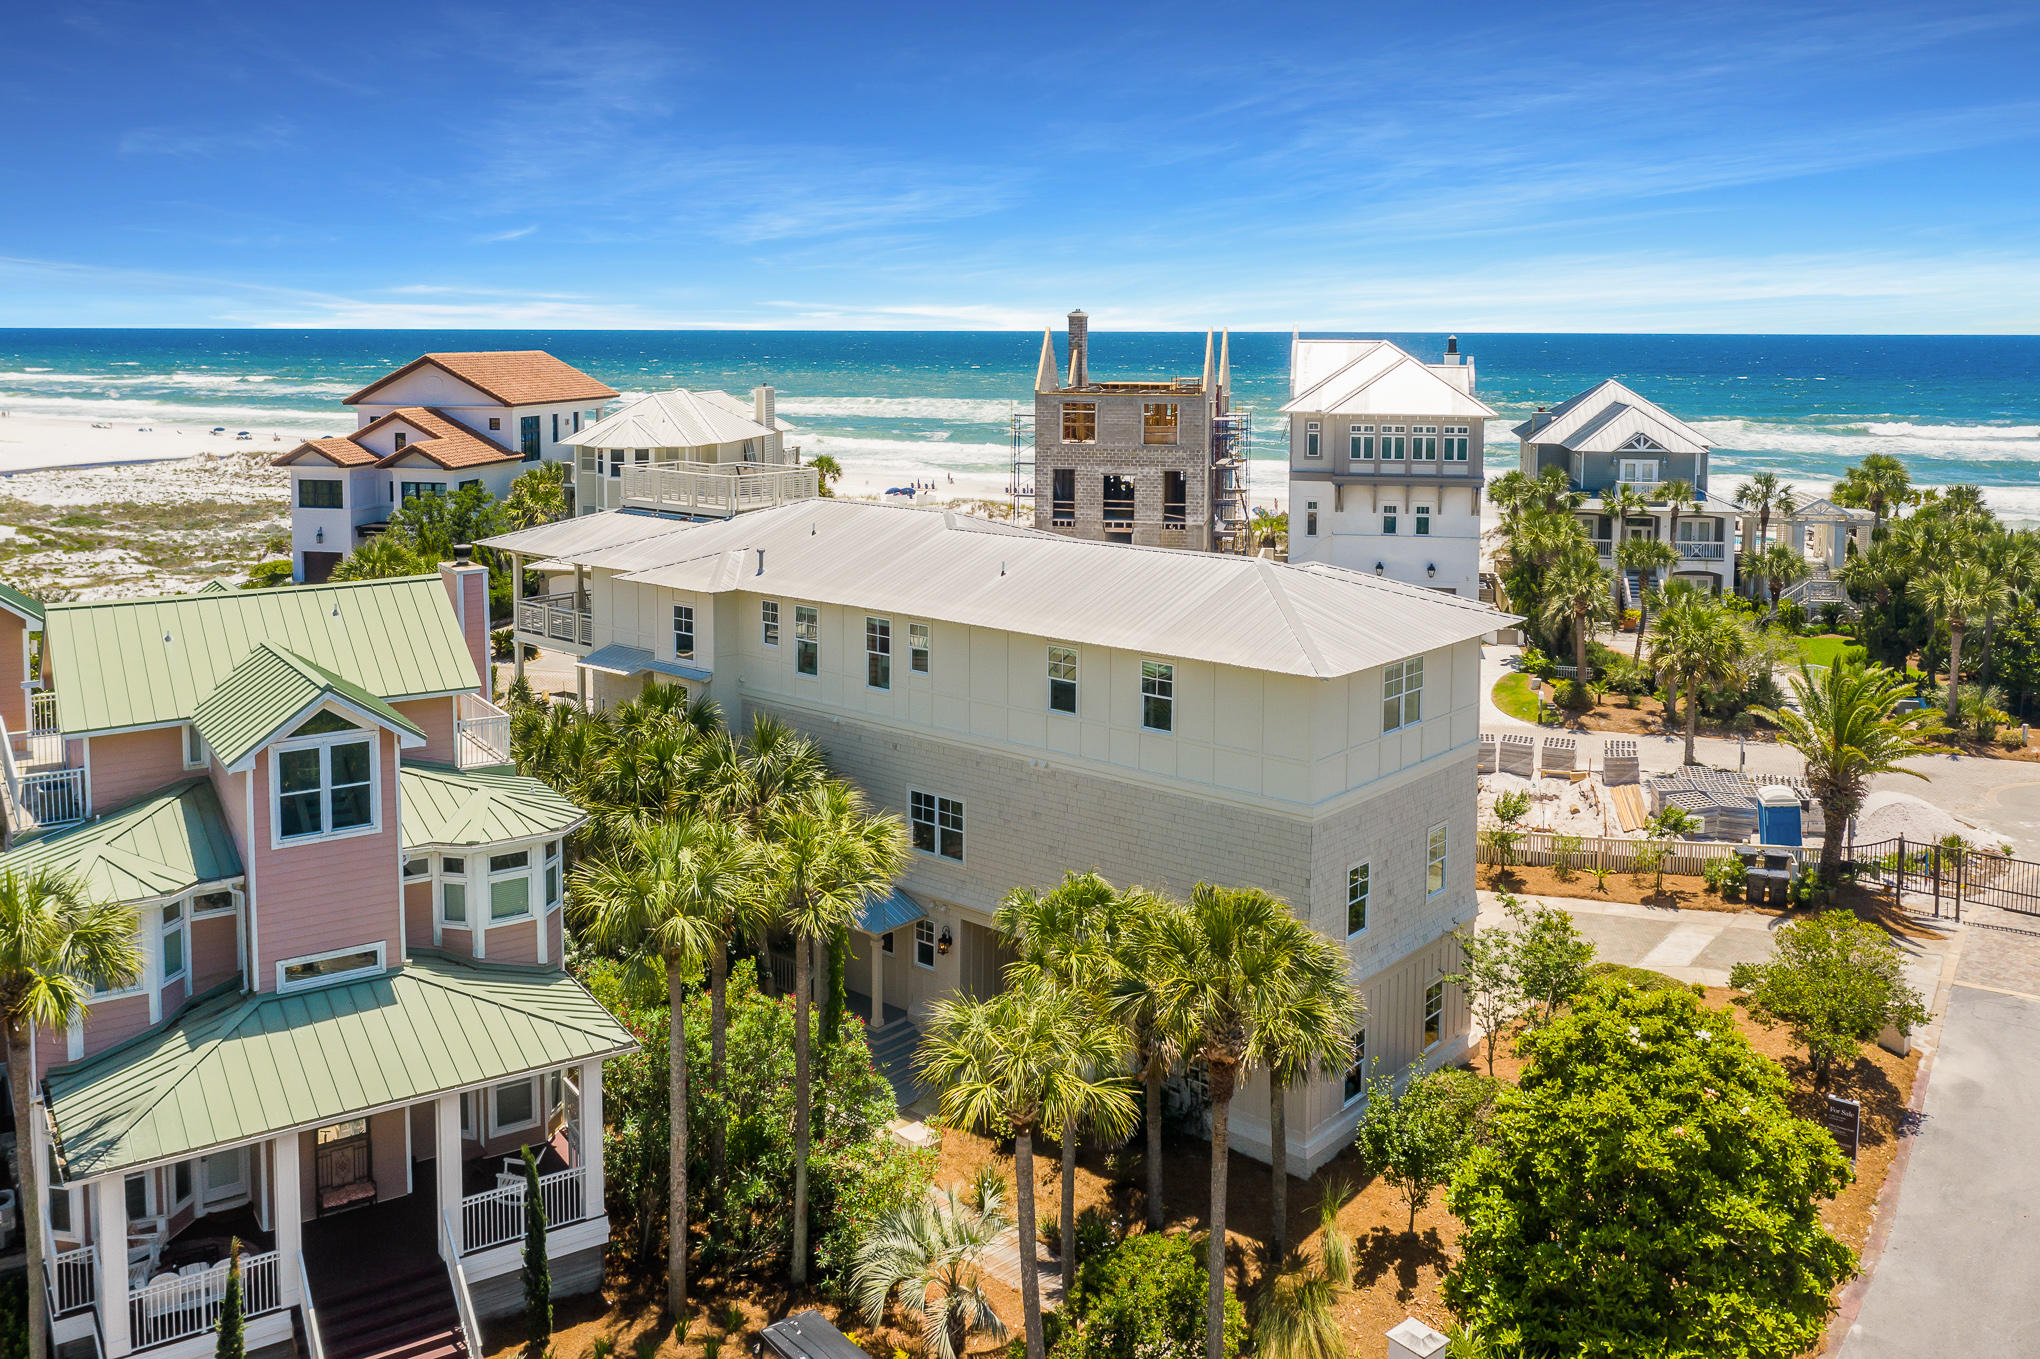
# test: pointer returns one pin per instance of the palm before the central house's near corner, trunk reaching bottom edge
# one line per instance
(1223, 968)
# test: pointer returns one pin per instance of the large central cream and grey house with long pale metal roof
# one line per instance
(1031, 703)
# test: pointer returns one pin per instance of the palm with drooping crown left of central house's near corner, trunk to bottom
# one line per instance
(1031, 1058)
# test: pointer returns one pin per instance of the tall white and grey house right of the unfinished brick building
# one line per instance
(1386, 462)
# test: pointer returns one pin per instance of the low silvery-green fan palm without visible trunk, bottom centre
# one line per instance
(933, 1258)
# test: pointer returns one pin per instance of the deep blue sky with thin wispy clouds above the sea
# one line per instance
(962, 166)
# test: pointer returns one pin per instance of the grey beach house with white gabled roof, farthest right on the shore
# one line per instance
(1627, 454)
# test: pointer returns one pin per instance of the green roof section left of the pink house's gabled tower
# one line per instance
(158, 846)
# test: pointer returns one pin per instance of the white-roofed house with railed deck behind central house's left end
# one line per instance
(697, 454)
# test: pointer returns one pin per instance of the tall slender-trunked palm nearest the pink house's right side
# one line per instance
(660, 897)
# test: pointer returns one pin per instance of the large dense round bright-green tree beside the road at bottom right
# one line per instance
(1647, 1193)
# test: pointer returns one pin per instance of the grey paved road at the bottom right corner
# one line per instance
(1959, 1270)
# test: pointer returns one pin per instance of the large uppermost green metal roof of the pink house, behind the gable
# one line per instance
(152, 662)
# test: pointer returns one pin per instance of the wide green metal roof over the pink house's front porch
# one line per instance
(236, 1068)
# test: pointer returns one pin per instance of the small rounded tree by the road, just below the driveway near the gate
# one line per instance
(1835, 983)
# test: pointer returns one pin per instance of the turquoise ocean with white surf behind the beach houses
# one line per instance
(921, 403)
